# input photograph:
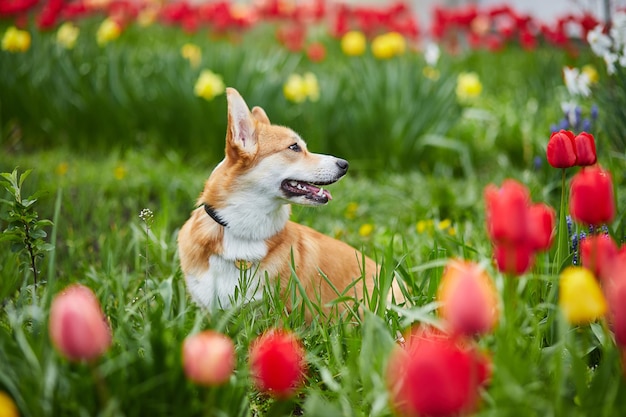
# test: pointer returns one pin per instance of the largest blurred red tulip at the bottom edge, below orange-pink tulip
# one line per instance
(435, 376)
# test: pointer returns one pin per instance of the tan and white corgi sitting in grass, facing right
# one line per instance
(242, 219)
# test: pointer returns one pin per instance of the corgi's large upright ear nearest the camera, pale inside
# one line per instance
(240, 124)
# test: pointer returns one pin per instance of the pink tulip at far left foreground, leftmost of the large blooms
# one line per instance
(77, 326)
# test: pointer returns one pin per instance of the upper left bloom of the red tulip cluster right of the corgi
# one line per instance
(507, 212)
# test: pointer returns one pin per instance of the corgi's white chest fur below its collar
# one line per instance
(215, 287)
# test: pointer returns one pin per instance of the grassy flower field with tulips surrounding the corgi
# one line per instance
(487, 171)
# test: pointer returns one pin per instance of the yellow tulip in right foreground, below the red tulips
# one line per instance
(580, 296)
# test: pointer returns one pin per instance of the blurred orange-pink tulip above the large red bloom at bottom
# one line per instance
(469, 300)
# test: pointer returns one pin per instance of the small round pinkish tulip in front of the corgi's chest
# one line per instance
(208, 358)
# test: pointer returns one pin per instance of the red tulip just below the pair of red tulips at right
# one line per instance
(591, 197)
